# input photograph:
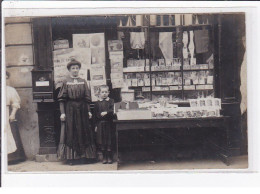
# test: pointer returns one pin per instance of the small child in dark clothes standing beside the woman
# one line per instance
(103, 115)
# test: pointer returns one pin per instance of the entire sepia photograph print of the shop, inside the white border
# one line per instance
(126, 92)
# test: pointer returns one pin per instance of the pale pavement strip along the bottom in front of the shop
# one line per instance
(238, 162)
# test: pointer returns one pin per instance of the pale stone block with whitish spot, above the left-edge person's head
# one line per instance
(19, 55)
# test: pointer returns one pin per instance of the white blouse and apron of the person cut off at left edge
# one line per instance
(12, 101)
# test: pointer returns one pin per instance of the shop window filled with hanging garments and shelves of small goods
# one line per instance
(170, 58)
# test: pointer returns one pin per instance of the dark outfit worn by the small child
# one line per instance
(104, 124)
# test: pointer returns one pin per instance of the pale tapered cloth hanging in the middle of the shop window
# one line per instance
(165, 44)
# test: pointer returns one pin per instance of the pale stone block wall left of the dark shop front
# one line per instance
(20, 62)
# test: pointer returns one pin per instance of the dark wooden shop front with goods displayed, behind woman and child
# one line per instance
(174, 78)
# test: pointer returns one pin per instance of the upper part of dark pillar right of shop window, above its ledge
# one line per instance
(229, 57)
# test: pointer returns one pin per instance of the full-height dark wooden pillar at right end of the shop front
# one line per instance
(232, 28)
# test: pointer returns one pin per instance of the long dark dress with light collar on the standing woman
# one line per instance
(79, 141)
